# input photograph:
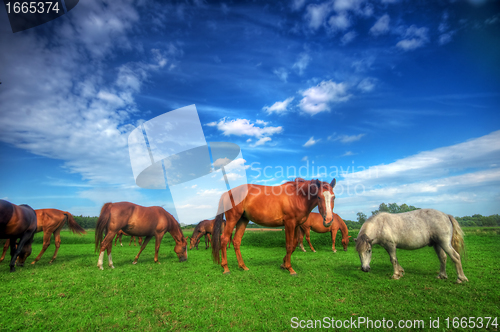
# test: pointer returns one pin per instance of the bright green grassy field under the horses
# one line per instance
(72, 294)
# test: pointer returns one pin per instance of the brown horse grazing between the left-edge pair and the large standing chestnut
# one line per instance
(137, 220)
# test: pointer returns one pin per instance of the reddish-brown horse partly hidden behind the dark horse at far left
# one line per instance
(51, 221)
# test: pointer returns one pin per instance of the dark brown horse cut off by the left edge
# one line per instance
(17, 222)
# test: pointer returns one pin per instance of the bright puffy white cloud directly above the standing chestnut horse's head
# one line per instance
(318, 99)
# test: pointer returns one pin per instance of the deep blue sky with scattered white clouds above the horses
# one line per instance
(399, 100)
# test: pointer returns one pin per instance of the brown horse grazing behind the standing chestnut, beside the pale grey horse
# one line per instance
(314, 222)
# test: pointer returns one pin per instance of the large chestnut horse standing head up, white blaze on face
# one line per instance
(289, 204)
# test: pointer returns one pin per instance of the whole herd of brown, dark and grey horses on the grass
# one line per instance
(290, 206)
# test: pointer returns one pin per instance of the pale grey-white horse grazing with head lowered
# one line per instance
(412, 230)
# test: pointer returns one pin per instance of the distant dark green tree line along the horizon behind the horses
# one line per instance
(467, 221)
